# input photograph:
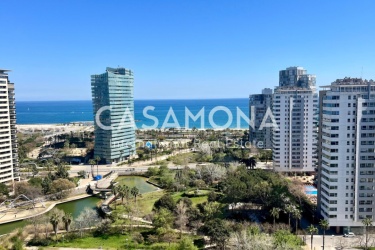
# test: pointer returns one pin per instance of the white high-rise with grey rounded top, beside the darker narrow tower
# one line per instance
(295, 106)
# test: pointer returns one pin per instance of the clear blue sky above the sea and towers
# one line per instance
(188, 49)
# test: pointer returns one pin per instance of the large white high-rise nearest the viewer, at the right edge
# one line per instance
(346, 179)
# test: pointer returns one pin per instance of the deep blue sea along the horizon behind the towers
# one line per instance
(217, 113)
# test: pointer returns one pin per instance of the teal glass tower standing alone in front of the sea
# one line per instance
(113, 106)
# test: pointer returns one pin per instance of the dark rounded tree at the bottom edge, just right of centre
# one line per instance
(218, 232)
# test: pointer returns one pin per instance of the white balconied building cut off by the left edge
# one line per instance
(9, 169)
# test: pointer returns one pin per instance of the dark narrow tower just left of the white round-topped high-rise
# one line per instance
(259, 104)
